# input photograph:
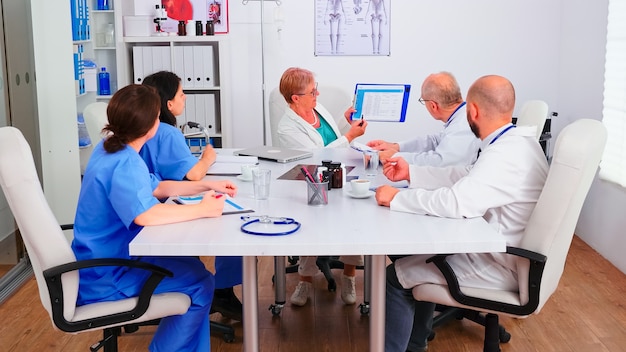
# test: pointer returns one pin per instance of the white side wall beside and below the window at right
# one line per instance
(602, 221)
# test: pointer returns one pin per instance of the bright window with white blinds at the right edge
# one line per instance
(613, 165)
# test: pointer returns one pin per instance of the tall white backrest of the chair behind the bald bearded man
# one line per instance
(550, 229)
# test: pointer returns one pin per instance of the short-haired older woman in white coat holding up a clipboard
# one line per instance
(307, 124)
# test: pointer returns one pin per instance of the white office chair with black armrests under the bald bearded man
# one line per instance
(543, 249)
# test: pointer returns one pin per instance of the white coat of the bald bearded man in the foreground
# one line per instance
(503, 187)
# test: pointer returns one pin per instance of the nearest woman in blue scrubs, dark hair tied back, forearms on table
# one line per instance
(118, 197)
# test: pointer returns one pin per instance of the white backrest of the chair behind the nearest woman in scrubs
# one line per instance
(46, 245)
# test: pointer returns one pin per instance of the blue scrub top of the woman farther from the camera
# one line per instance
(174, 157)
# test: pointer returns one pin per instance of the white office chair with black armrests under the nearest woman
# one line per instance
(55, 265)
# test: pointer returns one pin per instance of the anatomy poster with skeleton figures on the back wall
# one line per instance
(352, 27)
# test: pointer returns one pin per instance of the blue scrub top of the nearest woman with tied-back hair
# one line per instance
(116, 188)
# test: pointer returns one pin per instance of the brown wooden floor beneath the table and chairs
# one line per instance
(587, 313)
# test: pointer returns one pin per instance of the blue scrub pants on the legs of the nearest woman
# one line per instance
(190, 331)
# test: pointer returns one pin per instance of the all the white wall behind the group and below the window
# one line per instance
(551, 50)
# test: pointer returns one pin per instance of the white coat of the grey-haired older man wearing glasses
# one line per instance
(456, 144)
